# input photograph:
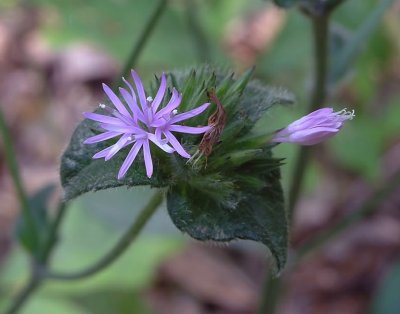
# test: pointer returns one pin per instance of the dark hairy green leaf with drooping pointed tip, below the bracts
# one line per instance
(238, 210)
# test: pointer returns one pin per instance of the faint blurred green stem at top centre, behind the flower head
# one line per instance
(200, 39)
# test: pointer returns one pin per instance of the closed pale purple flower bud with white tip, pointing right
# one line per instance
(314, 128)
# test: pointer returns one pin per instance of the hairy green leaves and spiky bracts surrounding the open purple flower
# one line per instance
(235, 193)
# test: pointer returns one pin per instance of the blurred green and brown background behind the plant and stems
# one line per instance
(54, 55)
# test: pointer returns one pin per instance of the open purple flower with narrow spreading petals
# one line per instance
(142, 124)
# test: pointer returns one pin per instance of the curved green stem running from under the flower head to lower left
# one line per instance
(119, 248)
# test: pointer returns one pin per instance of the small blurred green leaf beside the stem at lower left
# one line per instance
(38, 207)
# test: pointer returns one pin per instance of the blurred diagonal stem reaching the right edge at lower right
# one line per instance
(370, 206)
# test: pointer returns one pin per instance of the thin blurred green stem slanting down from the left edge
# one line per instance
(15, 175)
